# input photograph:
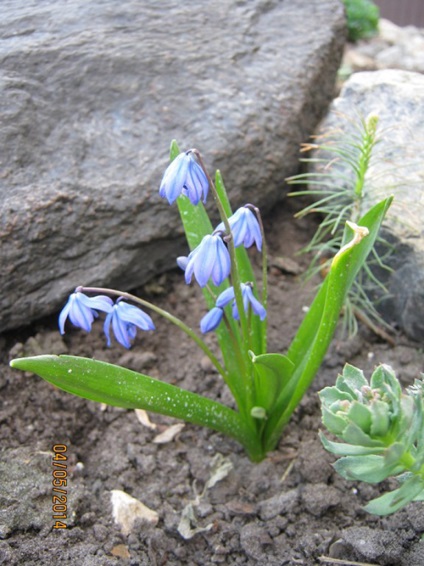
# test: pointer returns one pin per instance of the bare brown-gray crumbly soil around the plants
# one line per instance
(290, 509)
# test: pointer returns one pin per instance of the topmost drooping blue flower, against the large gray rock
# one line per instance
(184, 176)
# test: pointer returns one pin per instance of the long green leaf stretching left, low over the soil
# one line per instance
(113, 385)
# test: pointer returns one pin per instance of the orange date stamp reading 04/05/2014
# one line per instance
(60, 484)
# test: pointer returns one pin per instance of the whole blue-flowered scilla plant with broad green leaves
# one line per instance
(267, 387)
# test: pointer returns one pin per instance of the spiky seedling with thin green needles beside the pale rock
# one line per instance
(338, 184)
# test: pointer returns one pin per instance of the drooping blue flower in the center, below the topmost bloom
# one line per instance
(210, 259)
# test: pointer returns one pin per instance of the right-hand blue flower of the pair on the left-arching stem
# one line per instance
(125, 319)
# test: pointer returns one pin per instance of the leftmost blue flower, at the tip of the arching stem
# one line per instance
(82, 310)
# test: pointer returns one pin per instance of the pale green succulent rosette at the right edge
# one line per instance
(382, 433)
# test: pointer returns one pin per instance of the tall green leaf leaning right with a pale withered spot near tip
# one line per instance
(313, 338)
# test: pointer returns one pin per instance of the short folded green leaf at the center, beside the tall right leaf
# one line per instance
(272, 373)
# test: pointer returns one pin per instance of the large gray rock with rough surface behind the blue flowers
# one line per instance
(93, 92)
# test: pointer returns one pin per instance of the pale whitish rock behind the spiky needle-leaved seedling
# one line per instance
(397, 168)
